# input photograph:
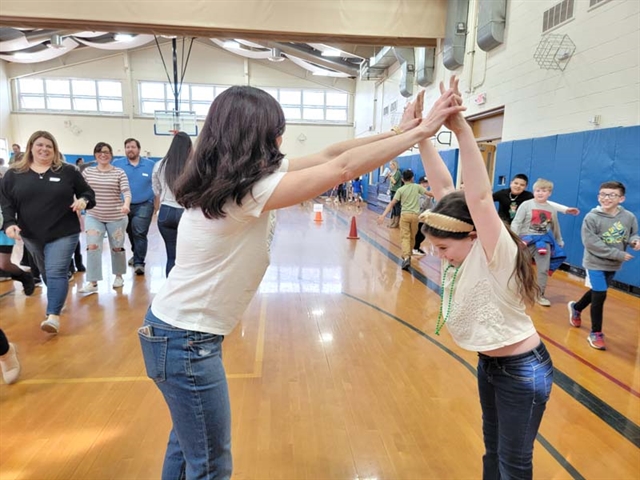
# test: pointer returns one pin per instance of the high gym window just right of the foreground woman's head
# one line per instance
(312, 106)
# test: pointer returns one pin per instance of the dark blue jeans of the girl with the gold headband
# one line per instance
(513, 394)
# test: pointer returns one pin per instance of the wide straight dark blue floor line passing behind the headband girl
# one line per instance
(616, 420)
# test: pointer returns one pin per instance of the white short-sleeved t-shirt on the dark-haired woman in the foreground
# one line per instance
(219, 263)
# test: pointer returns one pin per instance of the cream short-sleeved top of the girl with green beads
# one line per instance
(486, 311)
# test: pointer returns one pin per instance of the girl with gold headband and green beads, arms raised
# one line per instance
(486, 279)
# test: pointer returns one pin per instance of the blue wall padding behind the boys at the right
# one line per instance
(577, 163)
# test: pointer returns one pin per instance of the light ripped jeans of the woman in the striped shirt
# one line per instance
(95, 230)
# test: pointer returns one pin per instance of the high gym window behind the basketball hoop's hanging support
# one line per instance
(193, 98)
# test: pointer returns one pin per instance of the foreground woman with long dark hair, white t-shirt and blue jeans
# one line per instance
(235, 180)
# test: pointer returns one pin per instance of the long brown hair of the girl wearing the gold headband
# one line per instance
(454, 205)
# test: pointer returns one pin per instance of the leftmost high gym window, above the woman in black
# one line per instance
(69, 95)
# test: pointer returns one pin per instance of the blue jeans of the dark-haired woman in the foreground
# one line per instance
(187, 368)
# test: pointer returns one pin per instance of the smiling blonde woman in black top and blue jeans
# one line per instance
(40, 197)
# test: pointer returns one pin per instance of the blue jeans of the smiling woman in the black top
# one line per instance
(52, 259)
